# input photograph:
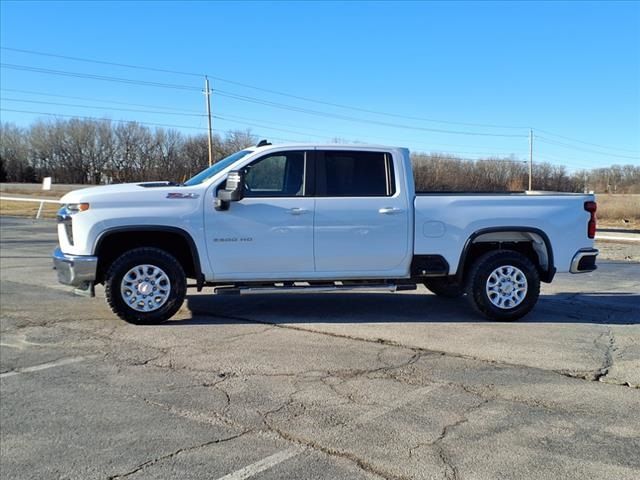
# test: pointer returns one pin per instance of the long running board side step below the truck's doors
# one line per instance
(274, 289)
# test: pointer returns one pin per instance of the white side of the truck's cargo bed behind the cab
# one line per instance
(444, 221)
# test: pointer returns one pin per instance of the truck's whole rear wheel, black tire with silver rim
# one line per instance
(477, 285)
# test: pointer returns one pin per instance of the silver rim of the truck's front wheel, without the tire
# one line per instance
(145, 288)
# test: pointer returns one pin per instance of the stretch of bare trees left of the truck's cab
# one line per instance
(82, 151)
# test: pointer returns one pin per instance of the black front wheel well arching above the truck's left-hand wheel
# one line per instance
(175, 242)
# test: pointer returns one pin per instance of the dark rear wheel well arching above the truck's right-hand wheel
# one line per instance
(532, 245)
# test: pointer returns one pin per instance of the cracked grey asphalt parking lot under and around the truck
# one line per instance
(334, 386)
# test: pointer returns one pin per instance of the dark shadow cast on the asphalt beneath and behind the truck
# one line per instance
(593, 308)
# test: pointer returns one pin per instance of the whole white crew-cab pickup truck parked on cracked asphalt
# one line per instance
(317, 218)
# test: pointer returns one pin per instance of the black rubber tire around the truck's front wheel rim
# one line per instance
(159, 259)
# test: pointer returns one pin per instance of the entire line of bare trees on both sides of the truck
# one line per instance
(84, 151)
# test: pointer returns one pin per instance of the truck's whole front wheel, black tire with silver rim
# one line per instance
(145, 286)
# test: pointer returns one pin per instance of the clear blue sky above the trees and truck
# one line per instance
(465, 78)
